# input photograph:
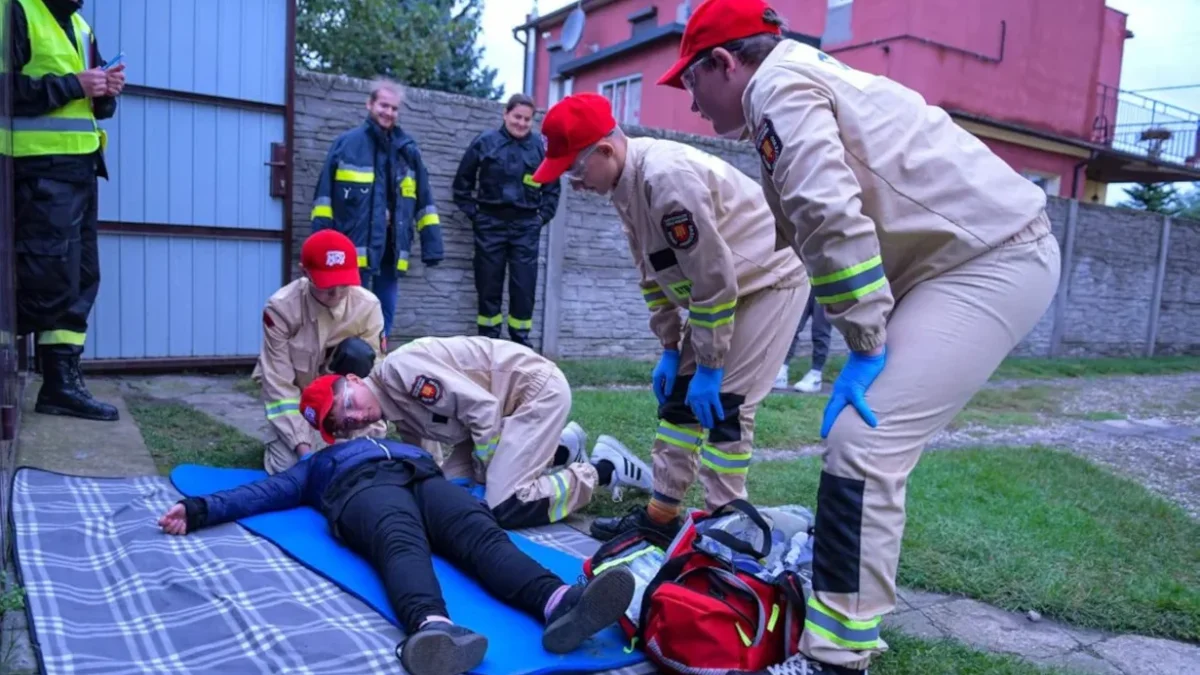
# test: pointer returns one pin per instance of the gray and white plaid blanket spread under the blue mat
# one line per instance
(109, 594)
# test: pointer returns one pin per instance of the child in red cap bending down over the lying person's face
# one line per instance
(500, 407)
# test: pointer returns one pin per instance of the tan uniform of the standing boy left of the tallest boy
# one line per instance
(704, 241)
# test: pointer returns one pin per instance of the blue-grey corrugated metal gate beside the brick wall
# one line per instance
(195, 219)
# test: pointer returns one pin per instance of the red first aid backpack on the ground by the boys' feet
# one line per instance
(701, 613)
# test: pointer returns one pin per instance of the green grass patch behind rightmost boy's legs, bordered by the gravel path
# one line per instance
(1030, 529)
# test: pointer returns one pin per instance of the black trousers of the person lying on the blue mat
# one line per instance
(398, 527)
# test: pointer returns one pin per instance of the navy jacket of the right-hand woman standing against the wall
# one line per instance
(503, 169)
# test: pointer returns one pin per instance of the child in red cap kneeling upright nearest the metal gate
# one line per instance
(322, 322)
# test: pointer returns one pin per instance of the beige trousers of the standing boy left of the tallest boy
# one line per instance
(763, 331)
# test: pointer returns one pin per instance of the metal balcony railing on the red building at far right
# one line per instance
(1135, 124)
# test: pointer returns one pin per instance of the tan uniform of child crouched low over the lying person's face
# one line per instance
(500, 409)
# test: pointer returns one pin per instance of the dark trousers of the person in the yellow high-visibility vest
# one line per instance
(58, 261)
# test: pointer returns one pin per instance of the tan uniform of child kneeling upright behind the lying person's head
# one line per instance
(299, 338)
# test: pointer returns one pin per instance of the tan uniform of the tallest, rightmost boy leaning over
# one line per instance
(917, 237)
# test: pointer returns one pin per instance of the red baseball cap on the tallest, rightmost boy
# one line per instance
(715, 23)
